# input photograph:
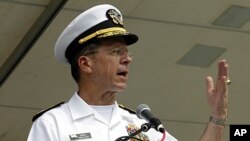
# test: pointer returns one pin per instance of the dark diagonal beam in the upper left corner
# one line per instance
(30, 38)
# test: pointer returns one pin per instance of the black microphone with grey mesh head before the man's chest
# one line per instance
(143, 112)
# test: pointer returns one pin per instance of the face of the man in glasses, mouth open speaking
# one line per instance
(111, 65)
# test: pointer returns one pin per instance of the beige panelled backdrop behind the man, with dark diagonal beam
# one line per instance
(180, 44)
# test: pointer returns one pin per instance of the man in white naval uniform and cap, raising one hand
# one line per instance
(95, 45)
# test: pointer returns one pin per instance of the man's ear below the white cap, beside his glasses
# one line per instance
(85, 64)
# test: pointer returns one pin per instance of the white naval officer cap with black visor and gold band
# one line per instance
(98, 22)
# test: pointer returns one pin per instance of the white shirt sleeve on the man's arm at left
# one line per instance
(42, 130)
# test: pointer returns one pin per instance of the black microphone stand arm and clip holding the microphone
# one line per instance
(144, 128)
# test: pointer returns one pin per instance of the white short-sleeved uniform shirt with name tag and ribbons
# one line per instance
(77, 121)
